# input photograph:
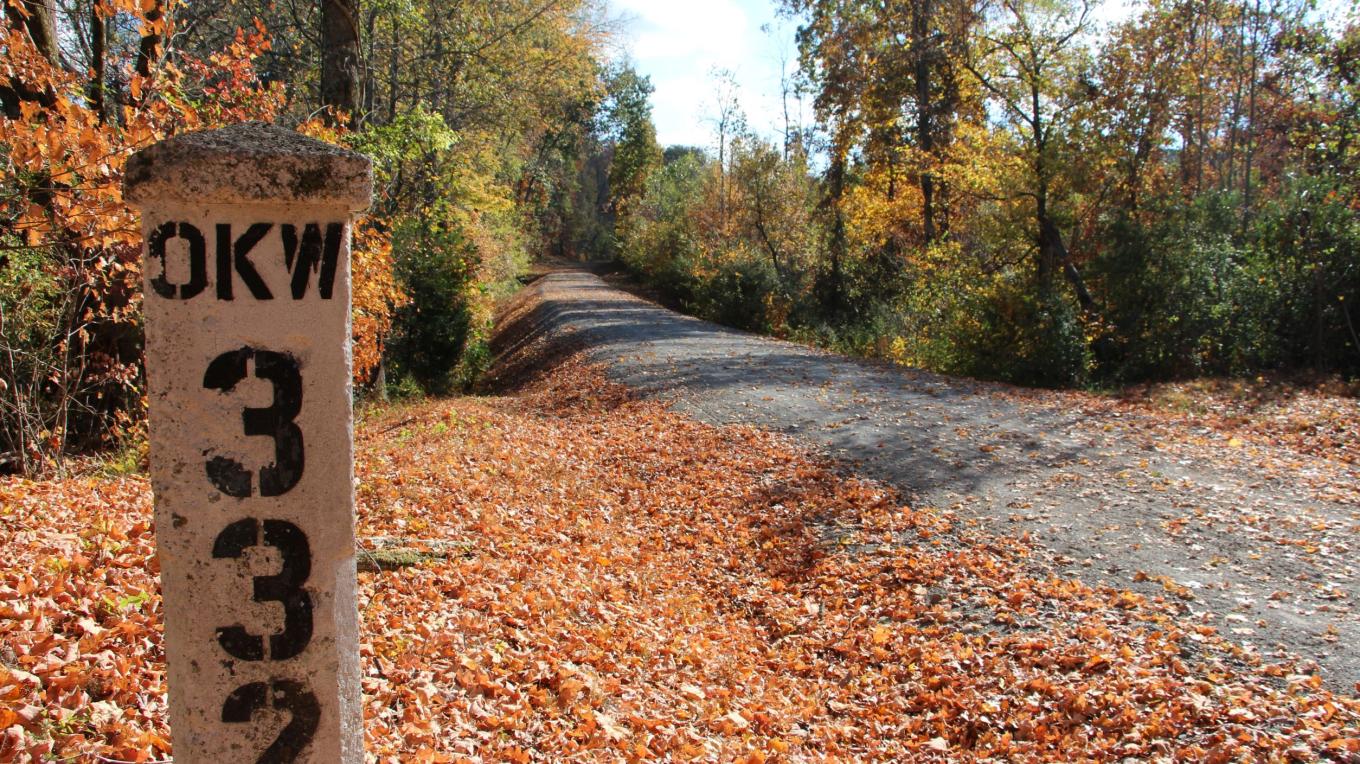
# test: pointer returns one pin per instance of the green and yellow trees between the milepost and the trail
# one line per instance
(482, 122)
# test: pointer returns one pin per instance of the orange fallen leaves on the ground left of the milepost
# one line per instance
(81, 659)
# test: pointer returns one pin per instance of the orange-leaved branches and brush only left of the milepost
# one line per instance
(63, 214)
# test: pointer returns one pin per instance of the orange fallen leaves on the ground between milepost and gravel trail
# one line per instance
(735, 599)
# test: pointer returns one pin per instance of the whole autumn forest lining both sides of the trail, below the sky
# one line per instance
(992, 188)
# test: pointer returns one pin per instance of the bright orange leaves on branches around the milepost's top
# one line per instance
(65, 177)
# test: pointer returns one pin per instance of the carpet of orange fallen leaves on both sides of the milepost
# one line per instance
(617, 583)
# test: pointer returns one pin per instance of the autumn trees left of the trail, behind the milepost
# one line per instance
(483, 119)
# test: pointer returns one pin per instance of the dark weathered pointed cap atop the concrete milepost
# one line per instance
(250, 164)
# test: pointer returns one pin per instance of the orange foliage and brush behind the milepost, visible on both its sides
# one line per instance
(71, 370)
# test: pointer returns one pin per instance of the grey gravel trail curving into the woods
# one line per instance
(1253, 542)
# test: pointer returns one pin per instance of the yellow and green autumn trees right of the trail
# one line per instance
(1002, 188)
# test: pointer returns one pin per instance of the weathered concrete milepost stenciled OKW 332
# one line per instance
(247, 305)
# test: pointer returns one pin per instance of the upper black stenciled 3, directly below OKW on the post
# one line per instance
(224, 375)
